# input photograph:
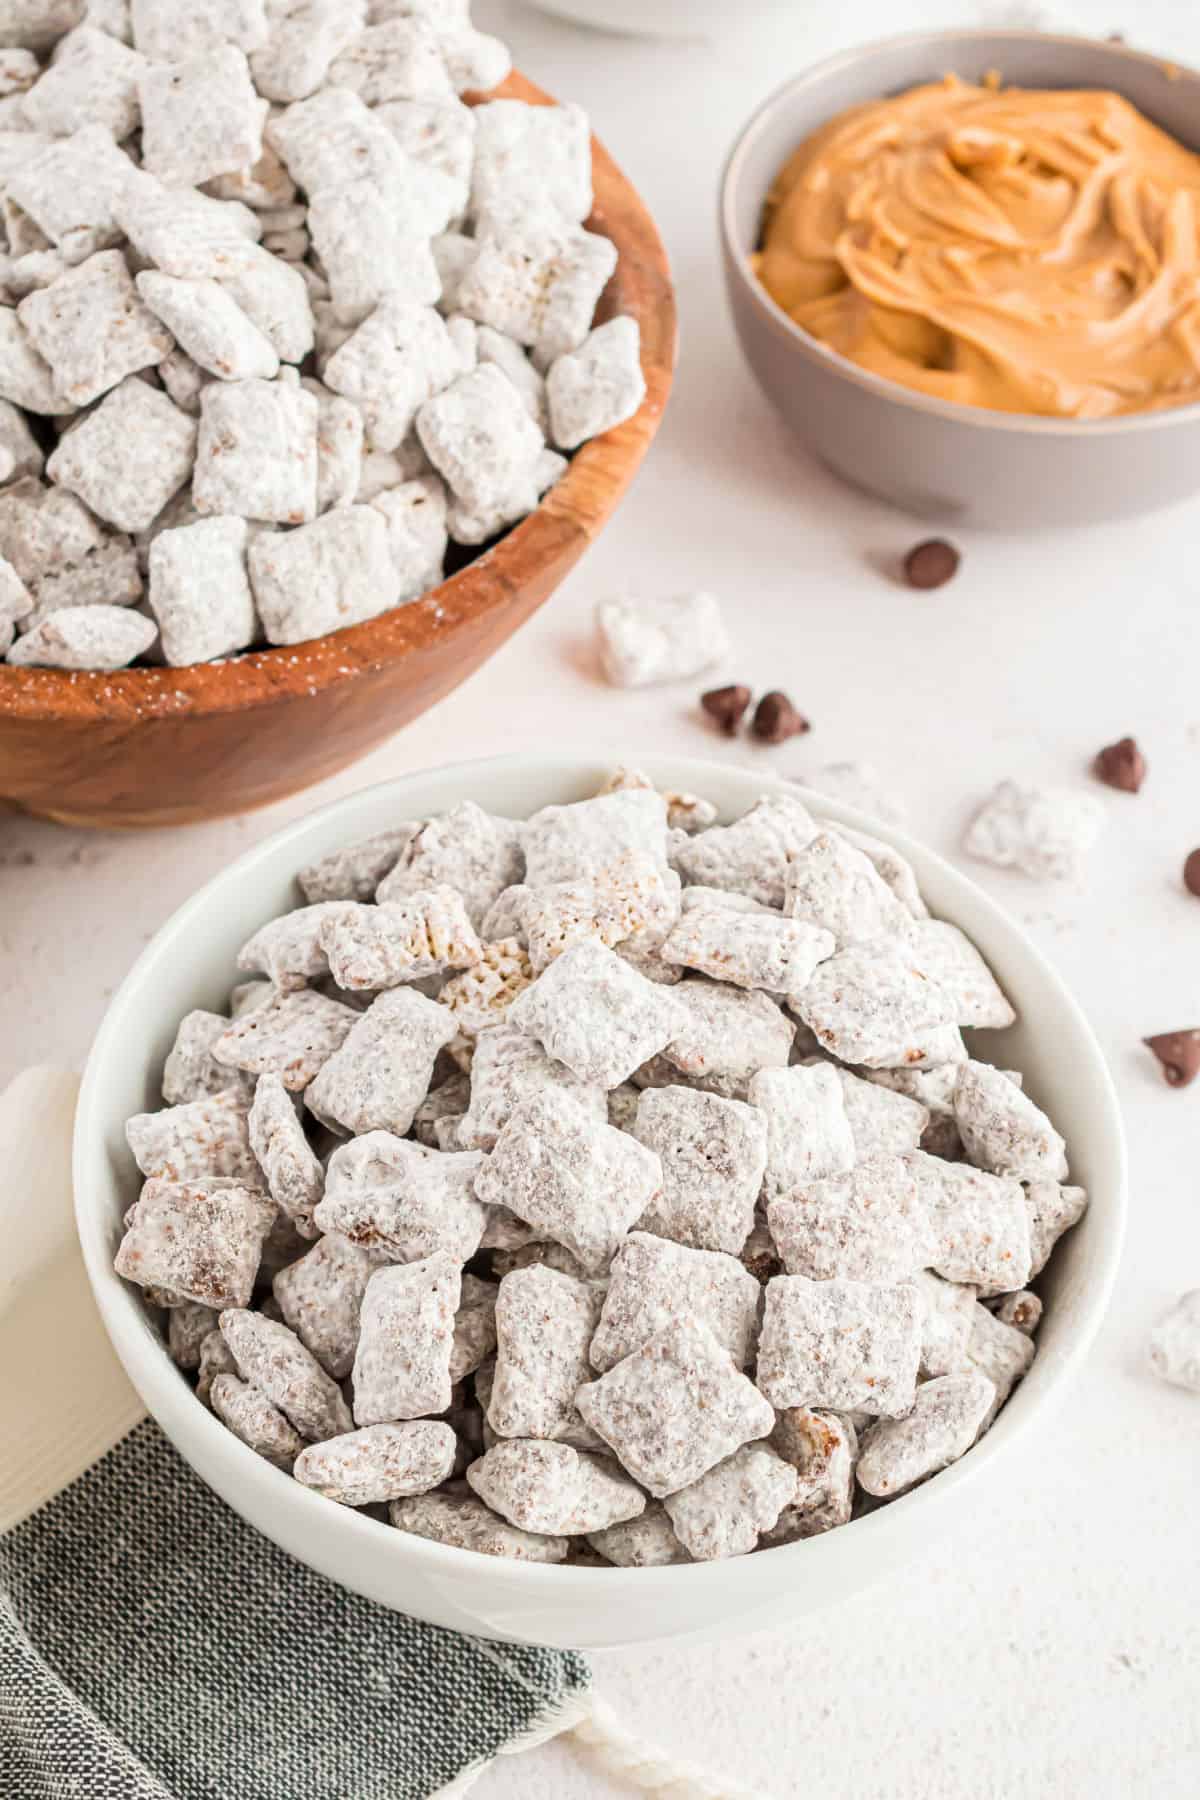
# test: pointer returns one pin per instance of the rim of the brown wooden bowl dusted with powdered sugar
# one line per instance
(578, 503)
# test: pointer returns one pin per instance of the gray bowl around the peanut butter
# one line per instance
(931, 456)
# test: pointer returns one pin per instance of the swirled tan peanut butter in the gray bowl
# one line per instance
(1012, 249)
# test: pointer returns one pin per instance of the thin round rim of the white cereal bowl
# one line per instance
(175, 1407)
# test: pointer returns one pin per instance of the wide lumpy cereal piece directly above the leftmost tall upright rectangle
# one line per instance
(402, 1201)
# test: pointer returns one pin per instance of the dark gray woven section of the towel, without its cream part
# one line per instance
(156, 1648)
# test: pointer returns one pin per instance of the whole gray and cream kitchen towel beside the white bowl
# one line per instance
(152, 1644)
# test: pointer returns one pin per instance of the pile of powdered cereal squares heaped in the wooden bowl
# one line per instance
(282, 318)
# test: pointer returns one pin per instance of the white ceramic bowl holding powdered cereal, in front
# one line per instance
(192, 964)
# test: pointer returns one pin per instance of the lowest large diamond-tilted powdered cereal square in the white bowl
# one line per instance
(676, 1408)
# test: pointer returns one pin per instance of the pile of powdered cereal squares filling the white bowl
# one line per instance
(609, 1187)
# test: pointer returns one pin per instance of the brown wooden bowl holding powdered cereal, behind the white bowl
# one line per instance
(170, 746)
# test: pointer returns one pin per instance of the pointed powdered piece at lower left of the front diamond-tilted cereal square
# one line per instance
(553, 1488)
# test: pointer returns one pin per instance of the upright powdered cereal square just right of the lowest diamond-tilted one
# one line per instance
(841, 1345)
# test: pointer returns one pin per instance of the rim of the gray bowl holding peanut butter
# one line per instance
(881, 384)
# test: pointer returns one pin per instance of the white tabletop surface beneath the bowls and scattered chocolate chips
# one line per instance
(1055, 1648)
